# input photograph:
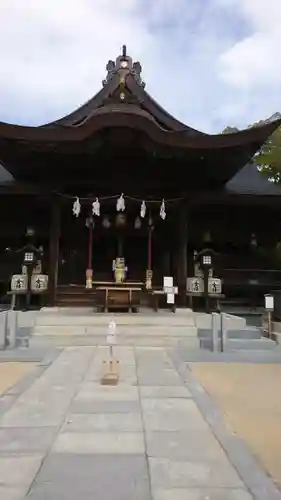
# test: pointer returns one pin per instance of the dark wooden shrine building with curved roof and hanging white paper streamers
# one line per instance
(120, 181)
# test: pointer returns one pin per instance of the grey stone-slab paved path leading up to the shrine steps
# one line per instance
(156, 436)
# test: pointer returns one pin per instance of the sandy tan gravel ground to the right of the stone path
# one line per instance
(249, 395)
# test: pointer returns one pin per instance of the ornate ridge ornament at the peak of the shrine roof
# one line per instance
(124, 66)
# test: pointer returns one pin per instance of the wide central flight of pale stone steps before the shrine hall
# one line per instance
(84, 327)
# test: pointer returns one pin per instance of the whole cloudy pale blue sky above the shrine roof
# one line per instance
(211, 63)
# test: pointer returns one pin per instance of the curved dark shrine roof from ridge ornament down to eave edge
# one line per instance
(123, 101)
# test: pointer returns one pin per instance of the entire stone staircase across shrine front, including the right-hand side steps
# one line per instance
(63, 327)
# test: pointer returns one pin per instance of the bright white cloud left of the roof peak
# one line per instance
(54, 53)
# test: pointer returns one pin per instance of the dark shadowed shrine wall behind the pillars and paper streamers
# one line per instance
(230, 226)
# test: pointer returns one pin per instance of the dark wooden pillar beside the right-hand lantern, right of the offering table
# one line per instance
(182, 254)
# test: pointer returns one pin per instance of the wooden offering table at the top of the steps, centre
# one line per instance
(111, 296)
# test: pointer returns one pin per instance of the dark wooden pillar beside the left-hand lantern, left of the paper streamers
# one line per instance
(54, 248)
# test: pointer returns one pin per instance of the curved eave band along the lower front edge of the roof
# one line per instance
(131, 116)
